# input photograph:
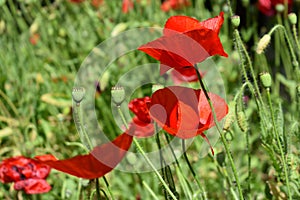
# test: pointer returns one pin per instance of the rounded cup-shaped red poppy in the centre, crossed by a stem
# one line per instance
(185, 112)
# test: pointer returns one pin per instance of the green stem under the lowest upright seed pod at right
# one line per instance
(279, 145)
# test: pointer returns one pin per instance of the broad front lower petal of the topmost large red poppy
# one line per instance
(180, 50)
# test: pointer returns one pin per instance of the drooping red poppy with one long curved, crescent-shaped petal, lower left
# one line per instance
(101, 160)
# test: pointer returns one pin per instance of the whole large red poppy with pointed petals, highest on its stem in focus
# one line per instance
(186, 42)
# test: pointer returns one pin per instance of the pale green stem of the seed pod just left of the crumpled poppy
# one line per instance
(140, 149)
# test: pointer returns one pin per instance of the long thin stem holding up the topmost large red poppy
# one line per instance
(224, 141)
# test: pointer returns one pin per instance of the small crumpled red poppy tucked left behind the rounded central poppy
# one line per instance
(141, 122)
